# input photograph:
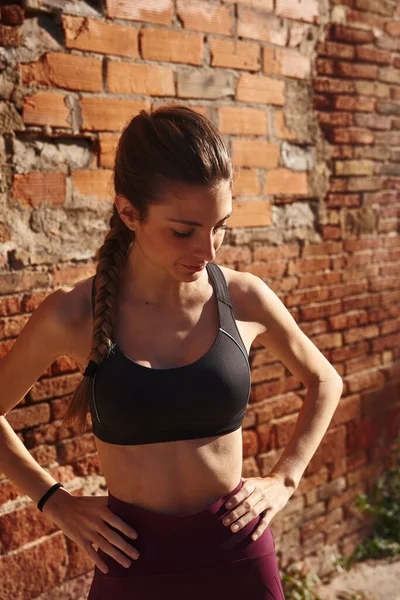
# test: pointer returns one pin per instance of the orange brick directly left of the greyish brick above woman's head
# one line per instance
(131, 78)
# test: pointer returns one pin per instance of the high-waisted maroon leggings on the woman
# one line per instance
(190, 556)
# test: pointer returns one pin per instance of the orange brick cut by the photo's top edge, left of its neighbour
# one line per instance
(141, 11)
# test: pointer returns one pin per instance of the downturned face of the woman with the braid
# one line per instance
(184, 231)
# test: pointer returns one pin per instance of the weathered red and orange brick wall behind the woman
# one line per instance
(307, 96)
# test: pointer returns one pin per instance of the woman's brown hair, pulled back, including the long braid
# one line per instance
(171, 143)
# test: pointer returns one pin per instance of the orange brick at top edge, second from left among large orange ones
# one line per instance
(202, 16)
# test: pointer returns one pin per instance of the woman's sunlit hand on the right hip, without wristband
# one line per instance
(257, 495)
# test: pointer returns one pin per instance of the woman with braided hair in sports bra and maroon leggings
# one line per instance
(167, 333)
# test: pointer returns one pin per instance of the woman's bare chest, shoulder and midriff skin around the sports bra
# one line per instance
(174, 477)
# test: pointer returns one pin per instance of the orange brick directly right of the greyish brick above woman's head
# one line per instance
(259, 89)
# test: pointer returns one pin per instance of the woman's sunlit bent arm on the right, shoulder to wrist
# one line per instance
(280, 333)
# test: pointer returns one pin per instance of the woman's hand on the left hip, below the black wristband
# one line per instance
(85, 519)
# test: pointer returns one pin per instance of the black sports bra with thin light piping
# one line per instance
(132, 404)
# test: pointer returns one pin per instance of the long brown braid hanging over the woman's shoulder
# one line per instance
(111, 259)
